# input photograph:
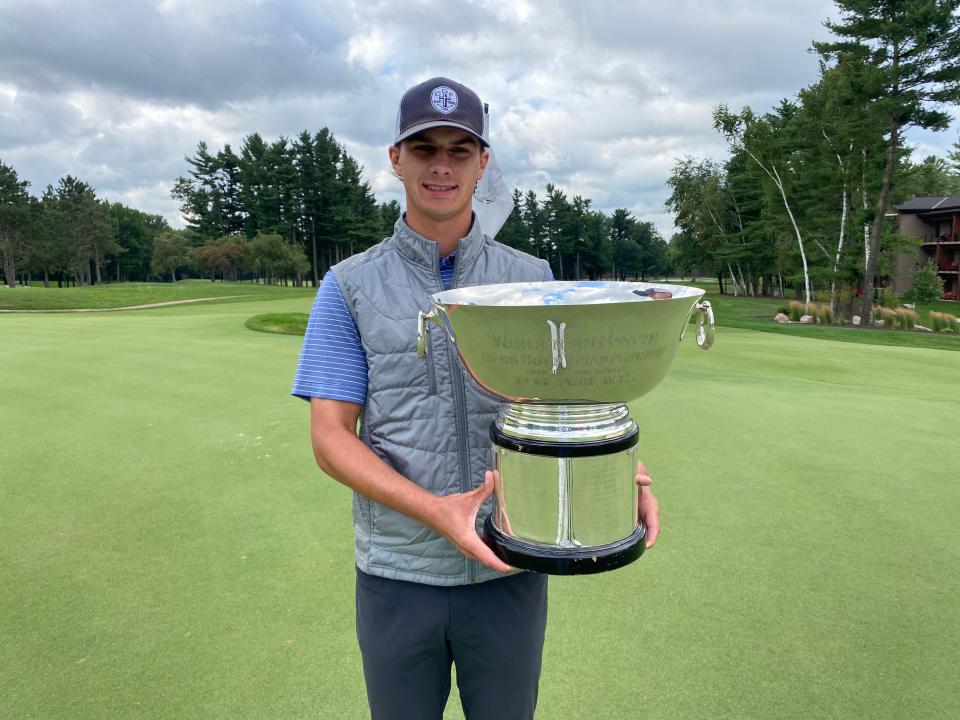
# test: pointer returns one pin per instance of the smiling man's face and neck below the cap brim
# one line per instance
(440, 168)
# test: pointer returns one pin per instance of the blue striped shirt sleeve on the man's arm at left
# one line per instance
(332, 363)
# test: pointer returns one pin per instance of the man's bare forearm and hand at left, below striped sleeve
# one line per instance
(341, 454)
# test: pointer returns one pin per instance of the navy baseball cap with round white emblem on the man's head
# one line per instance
(440, 102)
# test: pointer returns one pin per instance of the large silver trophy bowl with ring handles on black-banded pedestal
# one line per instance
(566, 357)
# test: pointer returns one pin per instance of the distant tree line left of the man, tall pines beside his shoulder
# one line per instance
(276, 211)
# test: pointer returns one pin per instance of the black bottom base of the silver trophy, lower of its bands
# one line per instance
(565, 561)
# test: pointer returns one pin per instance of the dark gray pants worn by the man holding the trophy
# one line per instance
(410, 634)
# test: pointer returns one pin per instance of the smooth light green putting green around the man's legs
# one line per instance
(169, 550)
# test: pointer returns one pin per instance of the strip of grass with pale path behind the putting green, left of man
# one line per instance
(115, 295)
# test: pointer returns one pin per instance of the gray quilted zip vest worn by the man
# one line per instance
(425, 418)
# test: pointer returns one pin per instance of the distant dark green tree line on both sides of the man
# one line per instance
(278, 211)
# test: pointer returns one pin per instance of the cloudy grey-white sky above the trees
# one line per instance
(598, 97)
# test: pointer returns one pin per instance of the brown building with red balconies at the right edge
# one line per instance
(936, 221)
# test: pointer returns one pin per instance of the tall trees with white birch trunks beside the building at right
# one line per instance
(804, 197)
